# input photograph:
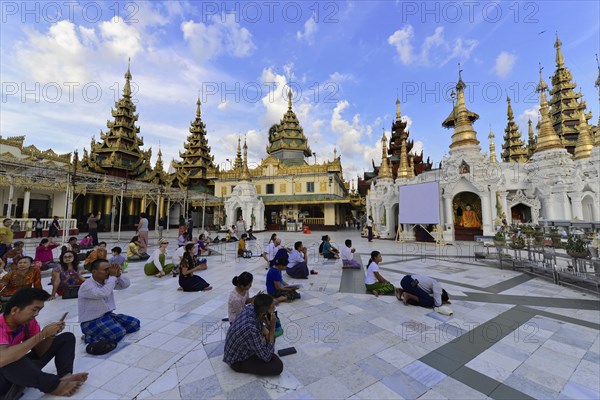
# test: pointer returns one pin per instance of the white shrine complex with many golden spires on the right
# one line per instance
(553, 177)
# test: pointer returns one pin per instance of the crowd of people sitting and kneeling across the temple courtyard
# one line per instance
(253, 321)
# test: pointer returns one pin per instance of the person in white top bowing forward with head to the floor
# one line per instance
(422, 290)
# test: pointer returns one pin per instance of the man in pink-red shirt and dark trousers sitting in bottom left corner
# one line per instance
(20, 333)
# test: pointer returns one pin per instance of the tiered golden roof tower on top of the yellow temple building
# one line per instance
(286, 139)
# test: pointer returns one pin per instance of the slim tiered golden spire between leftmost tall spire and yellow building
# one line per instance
(196, 159)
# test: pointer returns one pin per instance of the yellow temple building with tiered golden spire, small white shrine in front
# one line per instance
(284, 184)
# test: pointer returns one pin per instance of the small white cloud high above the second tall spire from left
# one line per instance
(222, 36)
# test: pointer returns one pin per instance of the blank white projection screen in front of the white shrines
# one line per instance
(419, 204)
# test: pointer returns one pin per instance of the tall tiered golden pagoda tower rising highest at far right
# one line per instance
(564, 103)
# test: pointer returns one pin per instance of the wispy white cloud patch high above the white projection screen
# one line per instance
(436, 49)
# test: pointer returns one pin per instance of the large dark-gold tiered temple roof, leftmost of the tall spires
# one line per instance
(119, 152)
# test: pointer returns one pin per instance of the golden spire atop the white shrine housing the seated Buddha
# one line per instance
(461, 119)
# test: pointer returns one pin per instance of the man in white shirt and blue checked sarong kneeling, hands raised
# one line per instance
(97, 302)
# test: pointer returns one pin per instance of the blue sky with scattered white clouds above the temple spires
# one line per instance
(346, 62)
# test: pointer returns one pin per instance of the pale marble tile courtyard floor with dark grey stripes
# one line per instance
(511, 335)
